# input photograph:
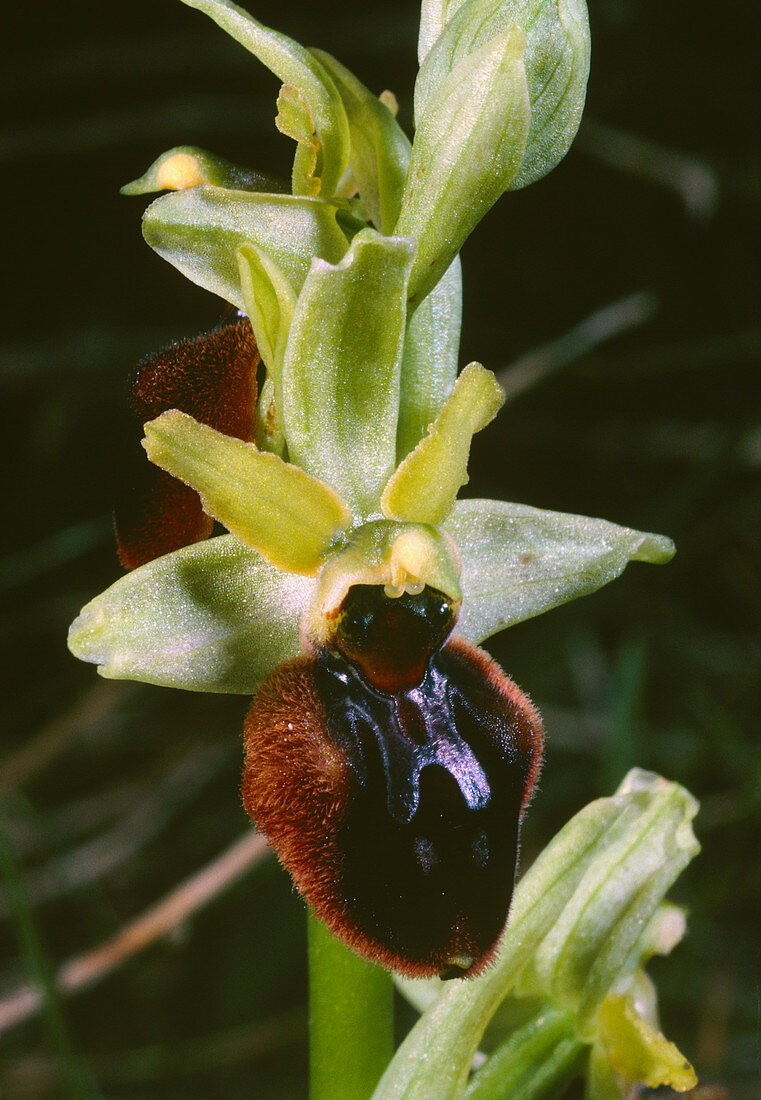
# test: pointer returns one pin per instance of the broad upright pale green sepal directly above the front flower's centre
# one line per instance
(343, 366)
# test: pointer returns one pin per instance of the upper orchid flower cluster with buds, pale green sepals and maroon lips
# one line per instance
(389, 760)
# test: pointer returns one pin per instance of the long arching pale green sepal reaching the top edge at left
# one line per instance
(296, 67)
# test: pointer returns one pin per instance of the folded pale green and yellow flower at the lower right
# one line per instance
(584, 920)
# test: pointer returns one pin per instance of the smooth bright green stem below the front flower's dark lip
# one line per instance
(351, 1020)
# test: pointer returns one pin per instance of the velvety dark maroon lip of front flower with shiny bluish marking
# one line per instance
(409, 852)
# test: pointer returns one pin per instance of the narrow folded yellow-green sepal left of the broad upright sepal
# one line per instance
(270, 302)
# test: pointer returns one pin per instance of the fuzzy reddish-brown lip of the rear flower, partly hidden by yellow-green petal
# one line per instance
(213, 378)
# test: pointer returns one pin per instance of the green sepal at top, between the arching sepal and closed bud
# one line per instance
(380, 149)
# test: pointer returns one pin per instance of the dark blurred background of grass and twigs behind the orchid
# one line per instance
(649, 415)
